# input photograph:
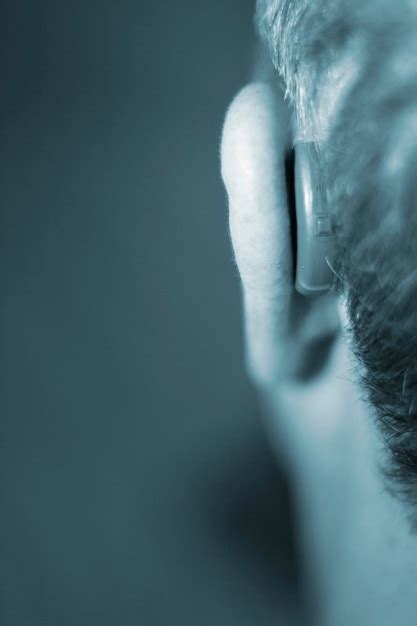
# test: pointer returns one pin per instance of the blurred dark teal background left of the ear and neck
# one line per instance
(136, 483)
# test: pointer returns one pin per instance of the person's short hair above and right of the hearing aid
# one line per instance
(369, 163)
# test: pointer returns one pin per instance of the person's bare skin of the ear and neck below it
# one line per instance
(360, 558)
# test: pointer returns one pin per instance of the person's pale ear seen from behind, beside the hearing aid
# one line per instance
(279, 323)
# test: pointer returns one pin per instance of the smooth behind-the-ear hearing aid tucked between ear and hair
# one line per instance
(314, 224)
